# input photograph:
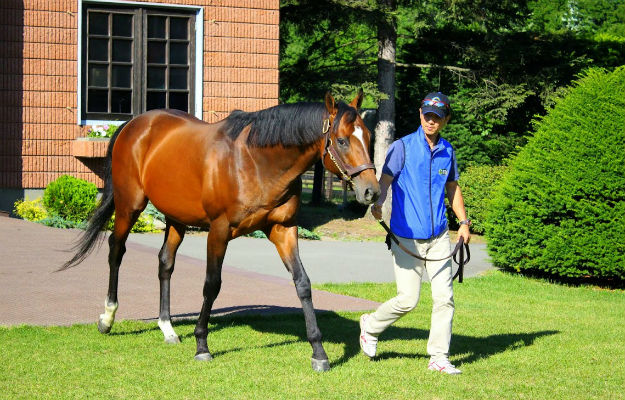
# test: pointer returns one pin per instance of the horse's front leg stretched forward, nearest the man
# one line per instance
(285, 240)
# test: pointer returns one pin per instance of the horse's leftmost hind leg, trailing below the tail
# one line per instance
(124, 221)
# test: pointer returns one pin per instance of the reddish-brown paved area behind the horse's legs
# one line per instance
(34, 293)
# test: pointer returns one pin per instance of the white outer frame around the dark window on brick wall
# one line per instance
(199, 52)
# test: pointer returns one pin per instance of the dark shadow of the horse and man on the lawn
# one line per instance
(339, 330)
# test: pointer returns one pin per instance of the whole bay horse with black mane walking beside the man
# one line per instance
(234, 176)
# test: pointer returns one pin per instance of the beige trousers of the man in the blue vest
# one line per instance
(408, 276)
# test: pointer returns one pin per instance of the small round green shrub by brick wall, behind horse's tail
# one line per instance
(70, 198)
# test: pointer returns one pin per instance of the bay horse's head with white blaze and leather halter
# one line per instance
(346, 148)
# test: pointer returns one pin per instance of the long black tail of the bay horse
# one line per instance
(101, 215)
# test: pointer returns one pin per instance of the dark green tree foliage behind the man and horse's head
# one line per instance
(501, 62)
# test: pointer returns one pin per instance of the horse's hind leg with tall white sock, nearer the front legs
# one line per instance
(174, 233)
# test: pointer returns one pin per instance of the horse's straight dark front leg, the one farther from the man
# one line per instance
(217, 243)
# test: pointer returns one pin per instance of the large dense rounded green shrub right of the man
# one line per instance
(560, 209)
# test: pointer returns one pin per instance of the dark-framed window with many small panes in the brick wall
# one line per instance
(135, 60)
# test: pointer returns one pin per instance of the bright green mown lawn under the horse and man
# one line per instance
(513, 338)
